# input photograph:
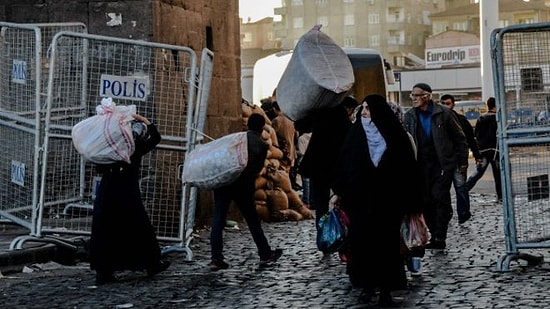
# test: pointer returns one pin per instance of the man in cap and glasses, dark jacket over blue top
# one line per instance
(441, 147)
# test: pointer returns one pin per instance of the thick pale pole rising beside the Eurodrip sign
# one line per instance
(488, 16)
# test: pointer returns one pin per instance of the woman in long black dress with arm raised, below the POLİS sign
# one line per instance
(123, 237)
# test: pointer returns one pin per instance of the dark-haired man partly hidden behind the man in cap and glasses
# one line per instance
(459, 179)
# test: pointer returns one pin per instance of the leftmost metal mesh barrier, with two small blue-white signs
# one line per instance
(23, 77)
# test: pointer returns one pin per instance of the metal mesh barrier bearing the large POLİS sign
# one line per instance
(165, 84)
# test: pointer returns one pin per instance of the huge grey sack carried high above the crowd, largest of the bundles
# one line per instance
(319, 74)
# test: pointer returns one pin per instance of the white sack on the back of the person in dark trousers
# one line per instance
(216, 163)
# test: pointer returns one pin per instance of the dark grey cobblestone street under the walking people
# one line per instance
(463, 276)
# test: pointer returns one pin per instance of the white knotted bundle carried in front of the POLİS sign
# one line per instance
(106, 137)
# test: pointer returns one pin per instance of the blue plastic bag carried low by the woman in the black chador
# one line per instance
(331, 233)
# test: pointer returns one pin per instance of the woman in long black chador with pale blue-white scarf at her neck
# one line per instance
(375, 185)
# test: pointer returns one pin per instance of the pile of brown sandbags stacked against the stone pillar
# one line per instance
(275, 199)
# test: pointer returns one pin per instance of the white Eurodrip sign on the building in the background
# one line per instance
(438, 57)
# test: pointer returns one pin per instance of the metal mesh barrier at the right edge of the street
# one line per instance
(521, 71)
